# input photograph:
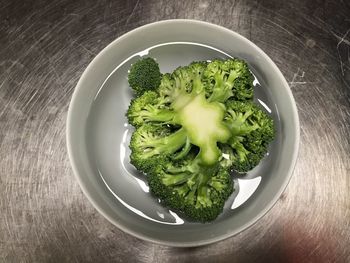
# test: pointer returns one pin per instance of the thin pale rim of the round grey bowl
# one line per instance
(209, 240)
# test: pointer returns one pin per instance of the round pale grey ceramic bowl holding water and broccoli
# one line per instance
(98, 133)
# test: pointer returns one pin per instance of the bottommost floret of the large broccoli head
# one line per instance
(198, 192)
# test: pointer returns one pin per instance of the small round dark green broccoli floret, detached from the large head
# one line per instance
(144, 75)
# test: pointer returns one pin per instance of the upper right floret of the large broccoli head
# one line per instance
(228, 79)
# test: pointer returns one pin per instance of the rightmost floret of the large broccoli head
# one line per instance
(252, 130)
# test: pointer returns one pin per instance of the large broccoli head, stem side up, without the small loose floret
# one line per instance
(197, 125)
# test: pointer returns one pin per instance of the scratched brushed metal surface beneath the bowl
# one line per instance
(44, 48)
